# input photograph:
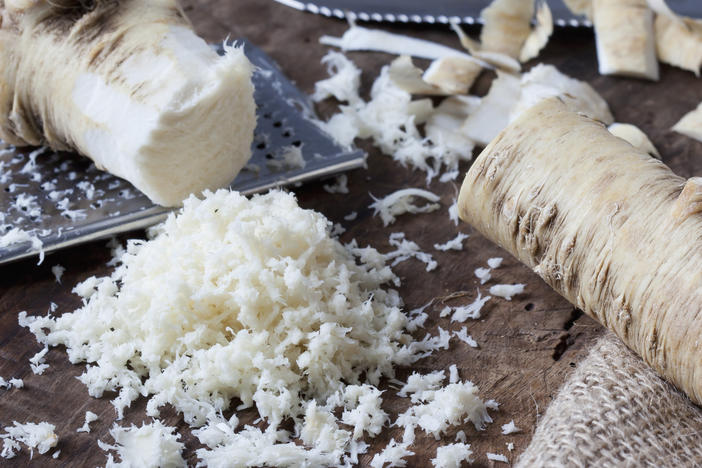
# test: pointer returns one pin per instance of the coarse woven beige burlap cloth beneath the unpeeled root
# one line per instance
(615, 411)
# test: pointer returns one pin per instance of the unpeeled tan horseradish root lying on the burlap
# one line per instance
(606, 225)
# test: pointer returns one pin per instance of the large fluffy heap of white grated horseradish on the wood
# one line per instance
(257, 287)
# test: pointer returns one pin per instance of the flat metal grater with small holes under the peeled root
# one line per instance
(64, 200)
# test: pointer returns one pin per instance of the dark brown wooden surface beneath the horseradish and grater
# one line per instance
(528, 346)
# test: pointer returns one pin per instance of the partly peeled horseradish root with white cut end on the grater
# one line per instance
(129, 85)
